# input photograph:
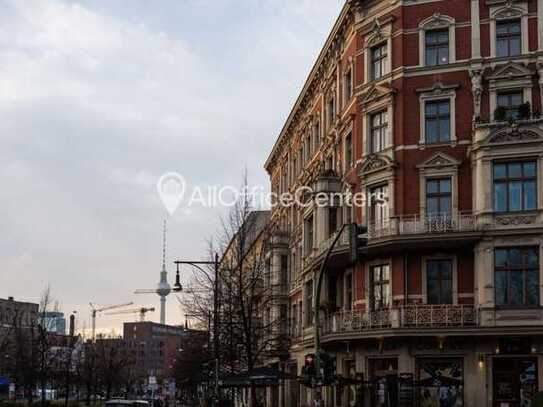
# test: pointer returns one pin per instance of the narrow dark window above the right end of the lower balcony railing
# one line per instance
(439, 279)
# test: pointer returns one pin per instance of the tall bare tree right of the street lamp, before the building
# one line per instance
(249, 321)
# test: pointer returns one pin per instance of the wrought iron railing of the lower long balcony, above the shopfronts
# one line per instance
(410, 316)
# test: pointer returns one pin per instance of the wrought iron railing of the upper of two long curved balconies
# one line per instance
(414, 224)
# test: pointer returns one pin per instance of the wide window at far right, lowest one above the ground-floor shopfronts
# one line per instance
(516, 273)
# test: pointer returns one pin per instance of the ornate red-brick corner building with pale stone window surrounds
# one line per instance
(435, 104)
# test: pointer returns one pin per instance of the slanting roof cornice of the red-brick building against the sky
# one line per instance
(309, 79)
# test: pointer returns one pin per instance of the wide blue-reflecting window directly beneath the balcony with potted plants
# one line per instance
(515, 186)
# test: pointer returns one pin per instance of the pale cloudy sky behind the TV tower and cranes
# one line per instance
(99, 98)
